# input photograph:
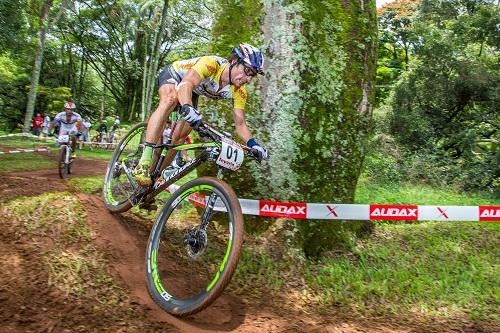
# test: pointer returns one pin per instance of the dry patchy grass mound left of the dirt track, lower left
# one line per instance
(56, 222)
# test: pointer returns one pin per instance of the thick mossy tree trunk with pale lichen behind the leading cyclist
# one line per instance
(315, 101)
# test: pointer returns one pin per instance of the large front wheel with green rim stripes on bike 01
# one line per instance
(194, 246)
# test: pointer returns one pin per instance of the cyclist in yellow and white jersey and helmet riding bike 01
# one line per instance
(182, 82)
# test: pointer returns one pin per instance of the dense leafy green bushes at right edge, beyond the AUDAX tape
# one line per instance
(446, 105)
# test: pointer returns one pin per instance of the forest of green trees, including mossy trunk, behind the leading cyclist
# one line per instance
(415, 100)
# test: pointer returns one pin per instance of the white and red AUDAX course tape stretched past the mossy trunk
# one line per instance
(320, 211)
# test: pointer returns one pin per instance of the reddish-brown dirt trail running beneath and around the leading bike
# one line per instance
(29, 304)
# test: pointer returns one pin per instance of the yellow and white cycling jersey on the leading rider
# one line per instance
(210, 69)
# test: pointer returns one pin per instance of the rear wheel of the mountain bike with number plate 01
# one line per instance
(118, 189)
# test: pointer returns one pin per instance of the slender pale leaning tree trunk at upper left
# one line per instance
(35, 77)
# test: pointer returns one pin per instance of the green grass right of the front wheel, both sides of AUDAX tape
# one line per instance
(431, 270)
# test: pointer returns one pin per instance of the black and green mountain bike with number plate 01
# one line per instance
(195, 242)
